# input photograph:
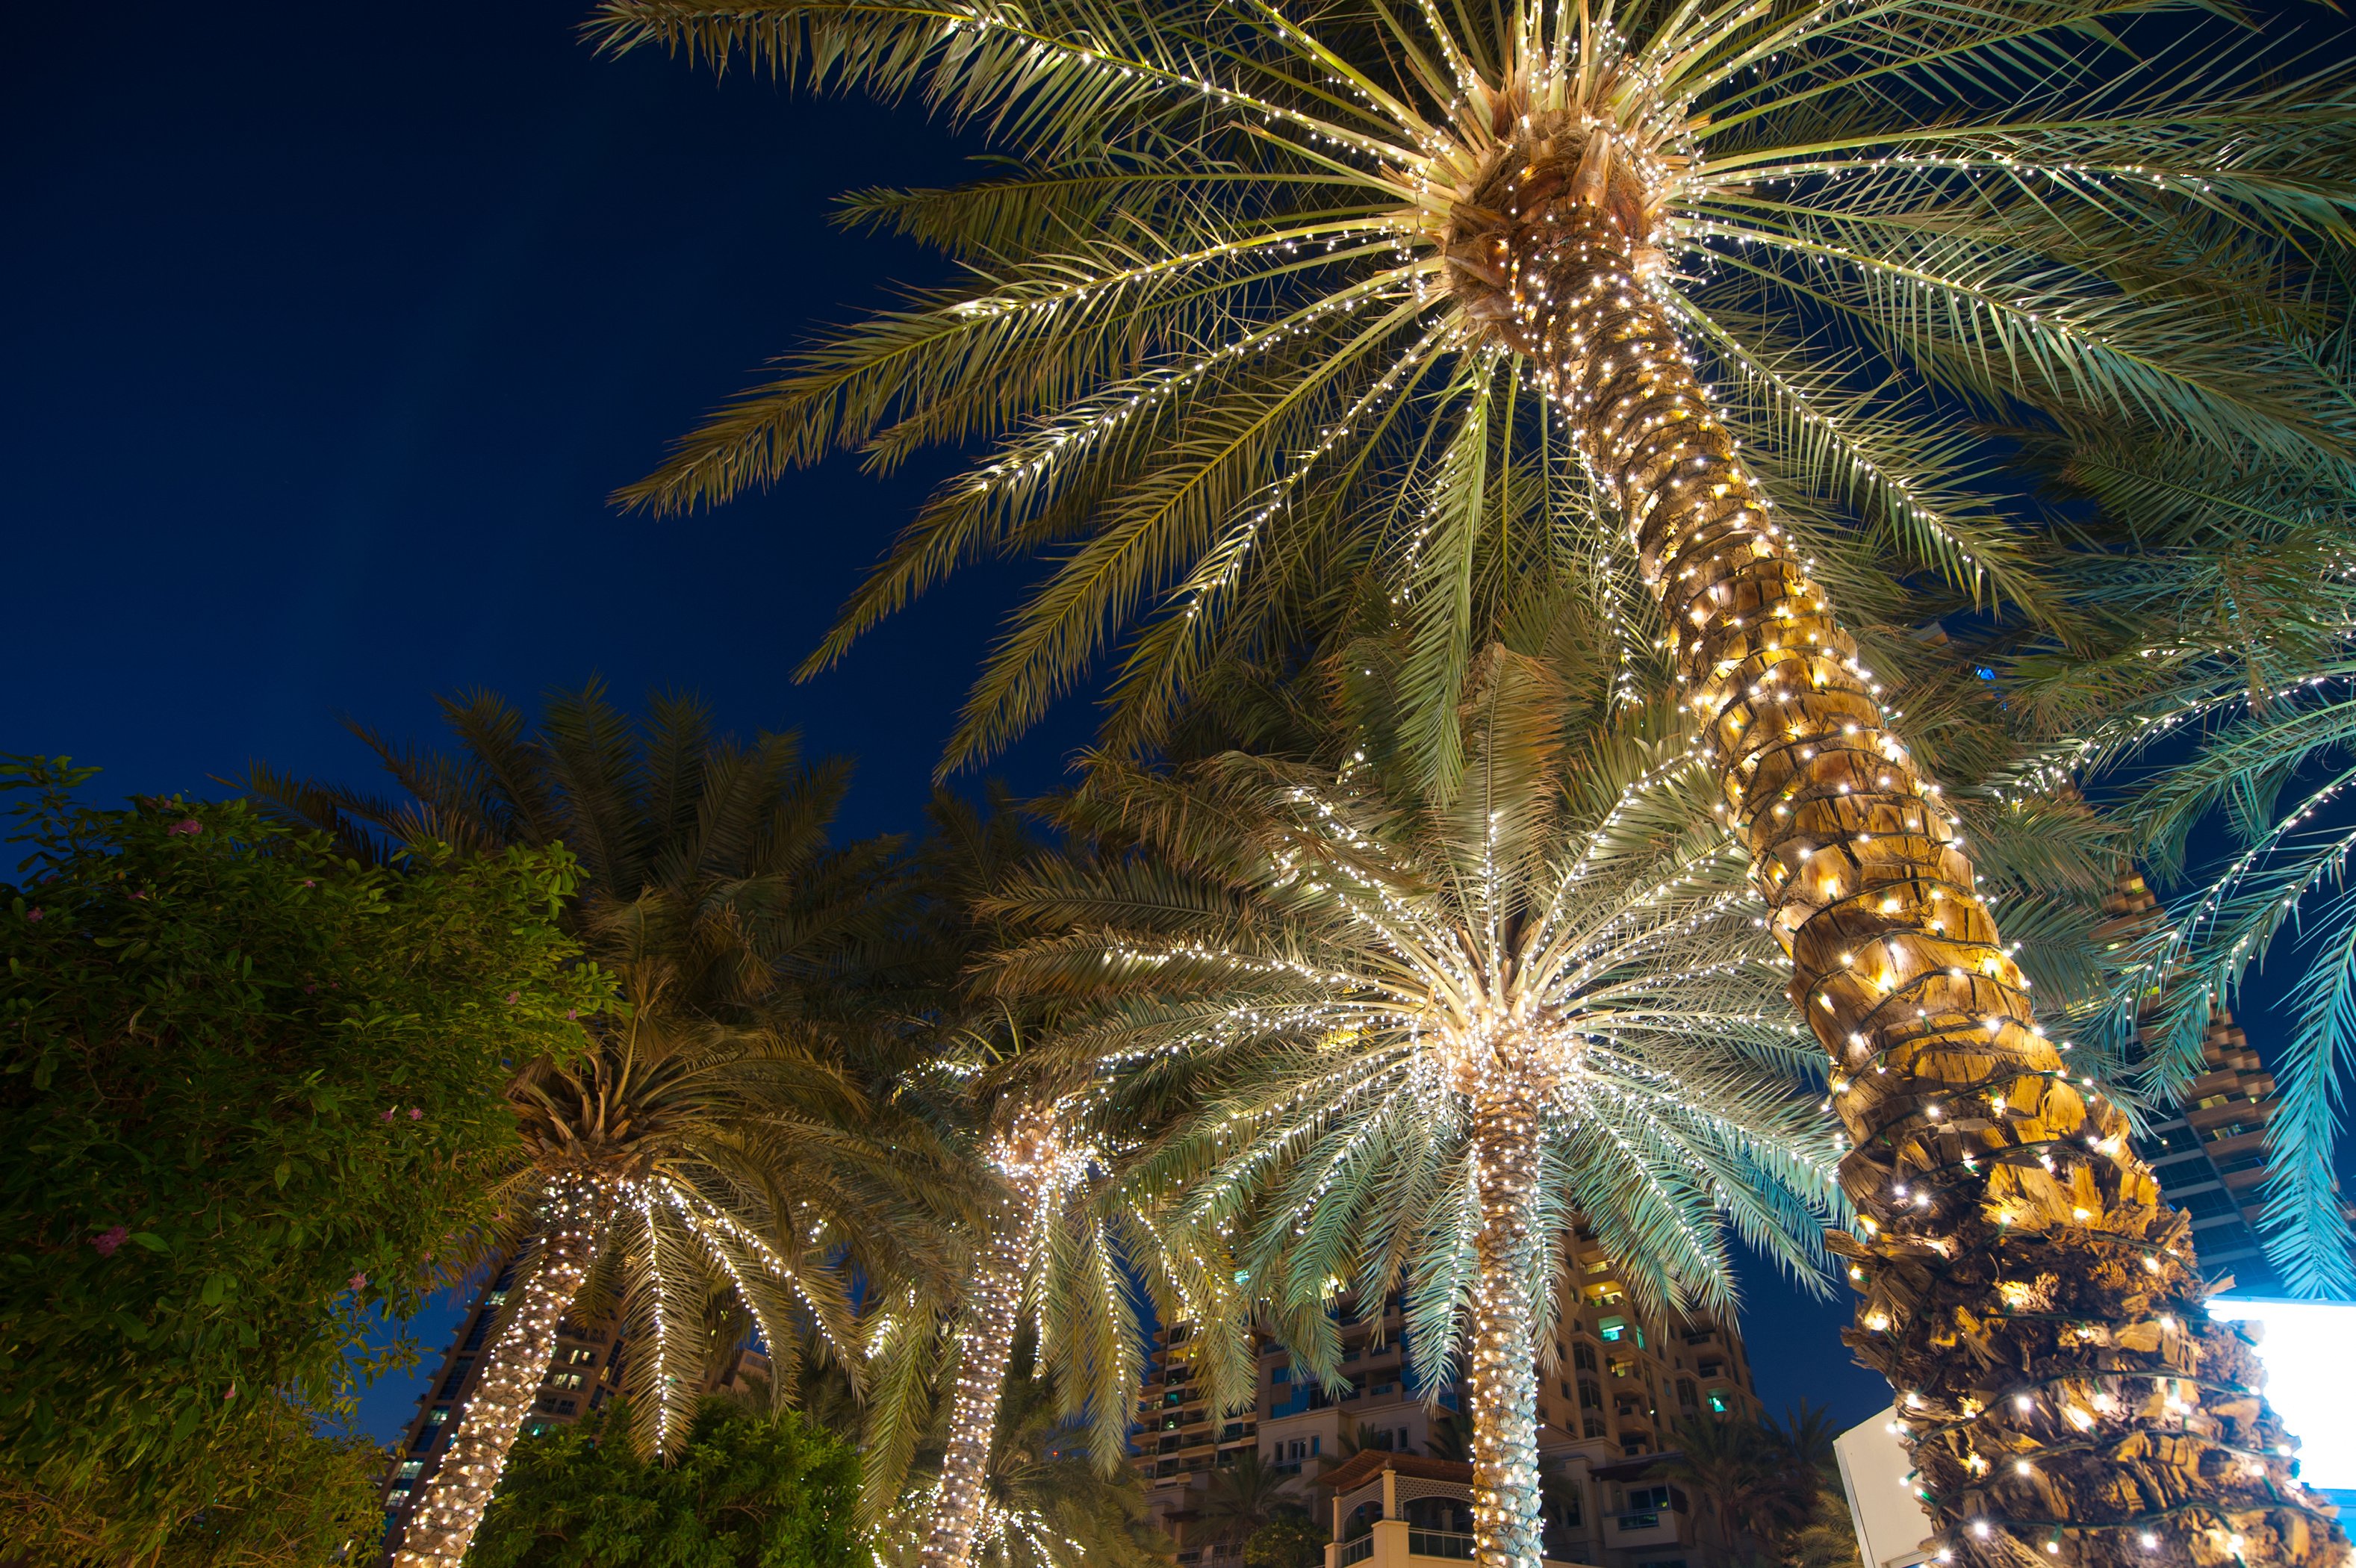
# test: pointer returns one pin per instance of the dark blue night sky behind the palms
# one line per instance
(326, 338)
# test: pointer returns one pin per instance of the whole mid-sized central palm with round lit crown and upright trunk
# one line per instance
(1419, 1032)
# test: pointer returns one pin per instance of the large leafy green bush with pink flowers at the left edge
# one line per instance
(251, 1091)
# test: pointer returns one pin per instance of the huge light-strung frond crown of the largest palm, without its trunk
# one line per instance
(1252, 298)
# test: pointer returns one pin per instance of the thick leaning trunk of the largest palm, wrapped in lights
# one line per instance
(2030, 1296)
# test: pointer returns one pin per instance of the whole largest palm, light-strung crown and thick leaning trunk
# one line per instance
(1280, 286)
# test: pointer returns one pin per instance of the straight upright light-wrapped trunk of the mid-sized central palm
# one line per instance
(1502, 1376)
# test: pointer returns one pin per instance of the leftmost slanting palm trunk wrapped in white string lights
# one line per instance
(456, 1496)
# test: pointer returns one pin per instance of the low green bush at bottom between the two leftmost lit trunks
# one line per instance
(743, 1491)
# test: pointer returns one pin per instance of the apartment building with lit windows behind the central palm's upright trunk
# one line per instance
(1610, 1393)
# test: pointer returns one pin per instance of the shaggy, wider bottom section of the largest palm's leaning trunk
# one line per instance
(2067, 1397)
